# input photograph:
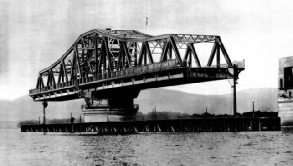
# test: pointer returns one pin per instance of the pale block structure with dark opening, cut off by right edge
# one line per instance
(285, 93)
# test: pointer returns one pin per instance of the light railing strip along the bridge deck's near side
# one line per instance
(169, 64)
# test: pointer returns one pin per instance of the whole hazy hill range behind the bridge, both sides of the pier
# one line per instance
(24, 108)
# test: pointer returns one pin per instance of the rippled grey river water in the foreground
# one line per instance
(222, 148)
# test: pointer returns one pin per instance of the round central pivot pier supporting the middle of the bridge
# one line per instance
(116, 105)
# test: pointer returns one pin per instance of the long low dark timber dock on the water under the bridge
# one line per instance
(230, 124)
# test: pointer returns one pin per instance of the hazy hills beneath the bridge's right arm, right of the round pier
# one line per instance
(175, 101)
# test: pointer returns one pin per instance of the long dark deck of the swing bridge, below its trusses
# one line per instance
(142, 77)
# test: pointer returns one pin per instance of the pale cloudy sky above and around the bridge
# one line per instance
(34, 34)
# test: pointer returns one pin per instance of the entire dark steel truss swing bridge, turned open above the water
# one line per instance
(108, 68)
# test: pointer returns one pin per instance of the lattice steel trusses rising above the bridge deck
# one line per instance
(102, 52)
